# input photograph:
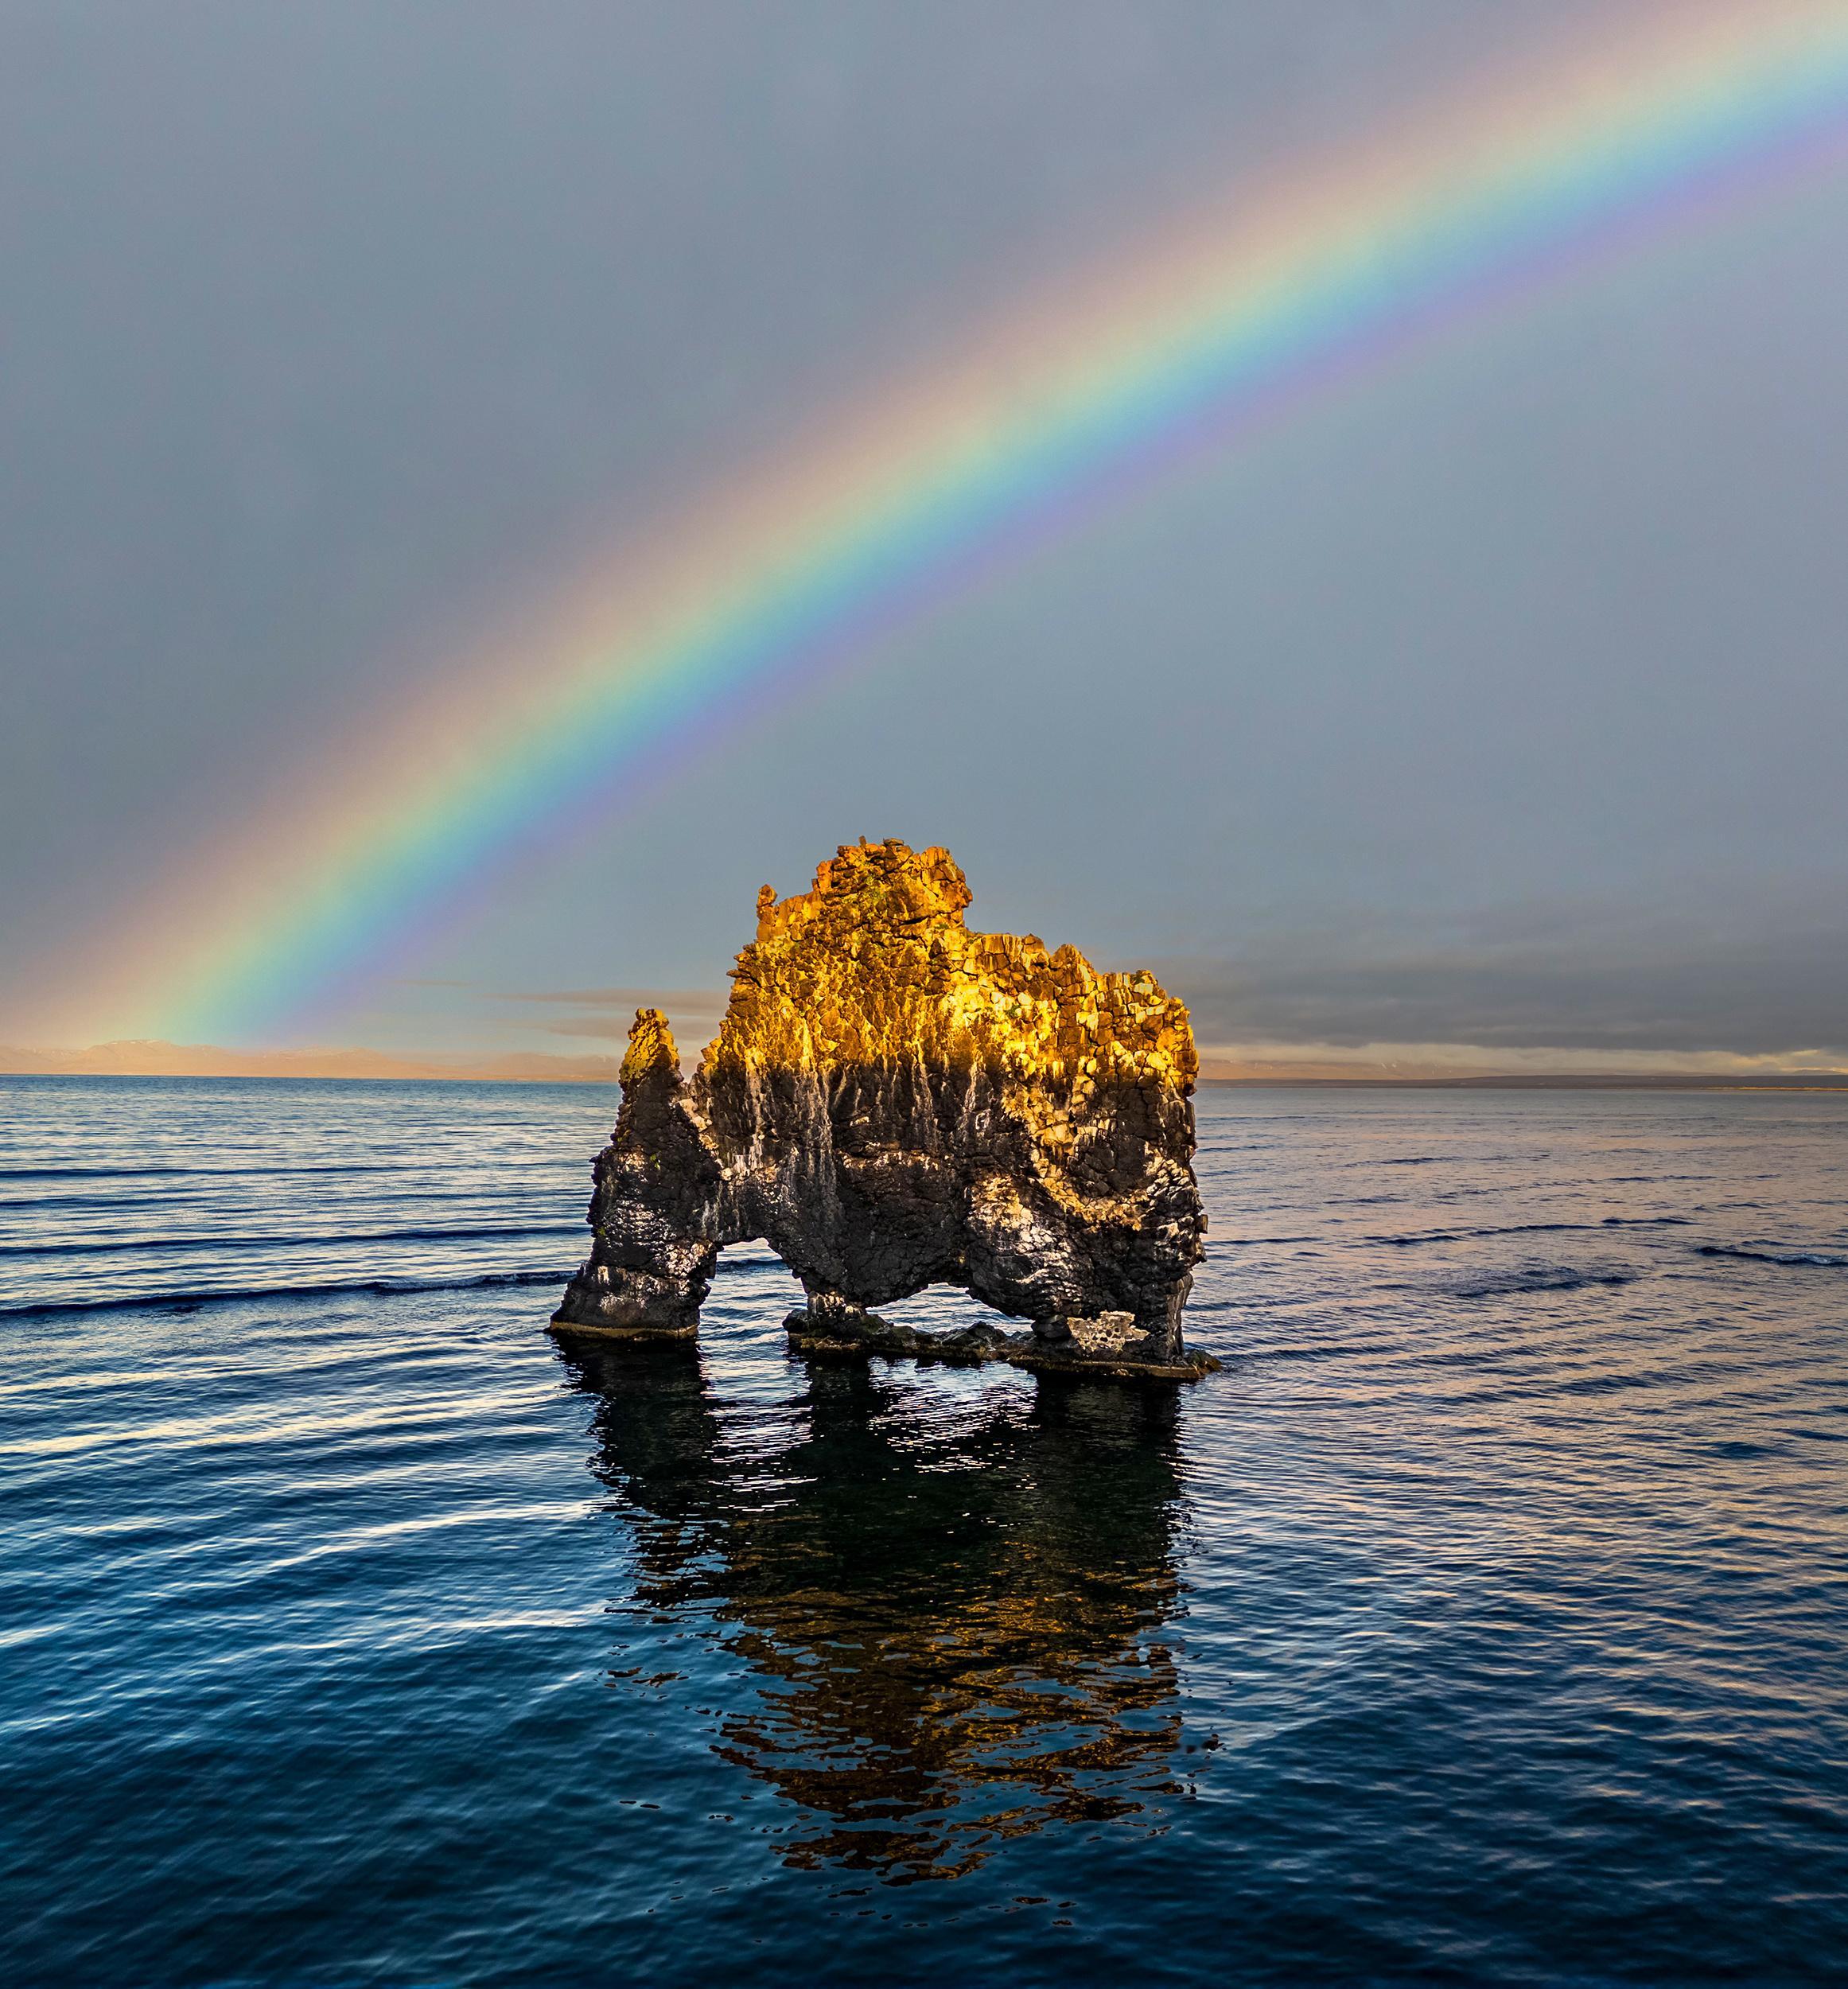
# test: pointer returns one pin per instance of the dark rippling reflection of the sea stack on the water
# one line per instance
(958, 1636)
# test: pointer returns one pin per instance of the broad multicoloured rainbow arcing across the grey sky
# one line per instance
(1069, 407)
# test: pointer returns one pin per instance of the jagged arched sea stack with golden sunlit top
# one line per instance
(896, 1103)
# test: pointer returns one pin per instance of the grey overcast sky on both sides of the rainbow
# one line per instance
(1501, 701)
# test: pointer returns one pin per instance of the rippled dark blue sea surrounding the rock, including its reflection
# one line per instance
(1483, 1622)
